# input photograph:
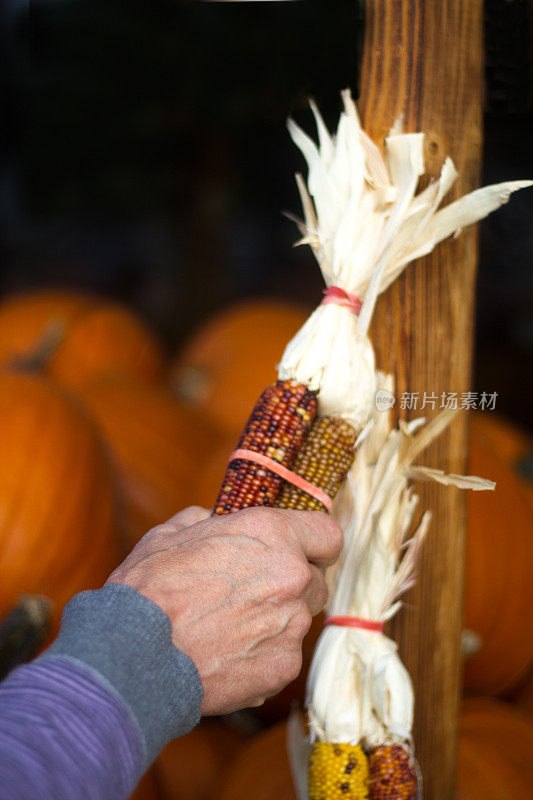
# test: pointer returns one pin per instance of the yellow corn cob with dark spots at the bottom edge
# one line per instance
(338, 772)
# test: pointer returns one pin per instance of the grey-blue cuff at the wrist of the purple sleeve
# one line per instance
(126, 640)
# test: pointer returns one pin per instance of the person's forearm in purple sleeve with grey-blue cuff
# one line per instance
(88, 717)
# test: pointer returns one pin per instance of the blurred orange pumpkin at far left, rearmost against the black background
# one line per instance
(76, 338)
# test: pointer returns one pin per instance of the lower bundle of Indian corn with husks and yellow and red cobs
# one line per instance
(359, 695)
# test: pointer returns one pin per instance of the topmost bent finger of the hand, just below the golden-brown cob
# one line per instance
(318, 534)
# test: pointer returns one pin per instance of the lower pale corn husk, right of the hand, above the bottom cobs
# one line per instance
(358, 689)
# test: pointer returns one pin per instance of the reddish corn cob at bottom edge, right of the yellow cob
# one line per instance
(392, 774)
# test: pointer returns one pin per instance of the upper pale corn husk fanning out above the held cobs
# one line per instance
(365, 223)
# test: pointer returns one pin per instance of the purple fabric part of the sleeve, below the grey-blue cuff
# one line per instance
(64, 736)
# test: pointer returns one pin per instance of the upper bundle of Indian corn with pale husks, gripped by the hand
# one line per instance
(365, 222)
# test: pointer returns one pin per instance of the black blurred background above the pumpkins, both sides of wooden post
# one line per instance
(145, 156)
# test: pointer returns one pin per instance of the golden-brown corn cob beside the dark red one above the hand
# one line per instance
(324, 460)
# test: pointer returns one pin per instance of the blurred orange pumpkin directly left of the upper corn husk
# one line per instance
(225, 366)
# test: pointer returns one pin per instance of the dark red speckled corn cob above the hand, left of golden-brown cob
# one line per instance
(277, 428)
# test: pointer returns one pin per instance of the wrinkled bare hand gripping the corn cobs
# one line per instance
(240, 591)
